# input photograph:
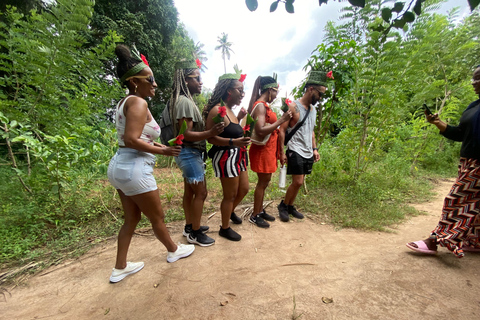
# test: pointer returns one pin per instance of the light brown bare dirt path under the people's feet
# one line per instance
(279, 273)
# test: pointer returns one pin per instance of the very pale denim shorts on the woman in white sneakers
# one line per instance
(131, 171)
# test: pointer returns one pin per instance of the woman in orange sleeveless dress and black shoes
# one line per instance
(263, 156)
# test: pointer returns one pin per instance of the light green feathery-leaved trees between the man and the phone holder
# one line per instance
(374, 106)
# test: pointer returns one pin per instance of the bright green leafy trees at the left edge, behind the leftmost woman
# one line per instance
(53, 91)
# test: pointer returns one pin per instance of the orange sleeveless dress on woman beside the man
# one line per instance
(263, 159)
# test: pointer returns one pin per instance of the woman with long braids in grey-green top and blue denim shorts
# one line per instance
(187, 82)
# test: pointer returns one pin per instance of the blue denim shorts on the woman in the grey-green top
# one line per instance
(190, 161)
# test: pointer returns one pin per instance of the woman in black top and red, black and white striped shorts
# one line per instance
(229, 150)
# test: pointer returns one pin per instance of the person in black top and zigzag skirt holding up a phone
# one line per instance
(458, 229)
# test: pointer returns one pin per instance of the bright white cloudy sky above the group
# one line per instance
(264, 42)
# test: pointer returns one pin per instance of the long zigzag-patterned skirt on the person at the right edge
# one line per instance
(459, 225)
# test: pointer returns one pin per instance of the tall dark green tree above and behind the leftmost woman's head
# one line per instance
(152, 25)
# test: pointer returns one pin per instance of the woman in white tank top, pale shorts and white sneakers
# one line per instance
(131, 169)
